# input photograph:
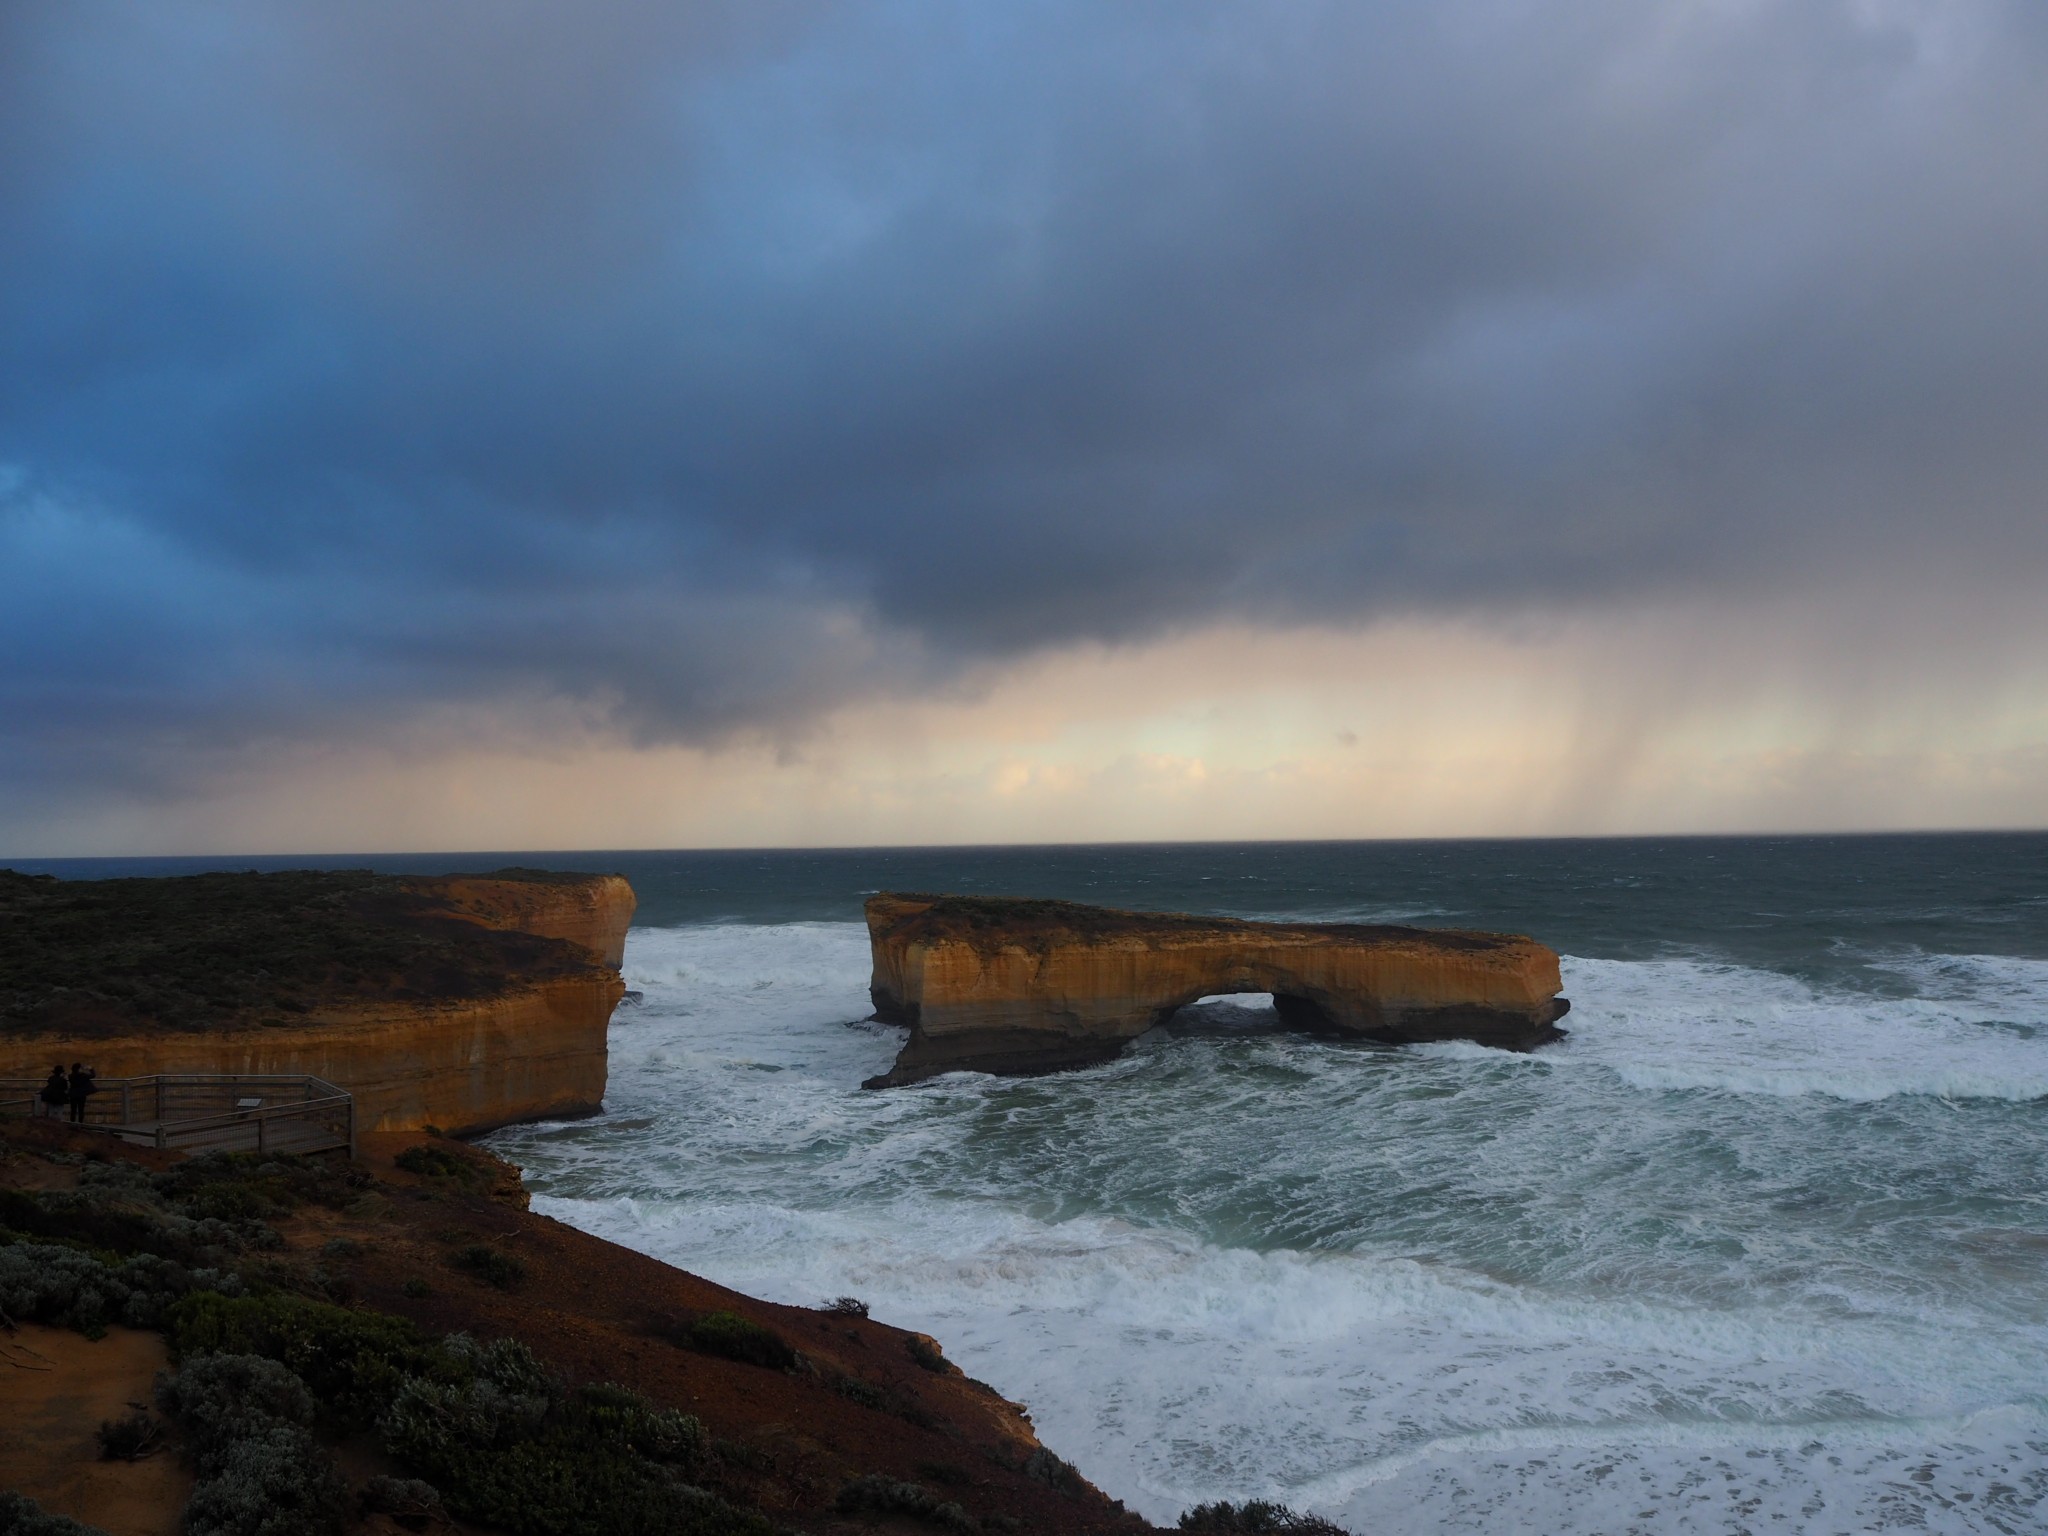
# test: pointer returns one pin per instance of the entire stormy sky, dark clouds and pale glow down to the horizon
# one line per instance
(837, 421)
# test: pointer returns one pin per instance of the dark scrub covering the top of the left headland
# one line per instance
(243, 951)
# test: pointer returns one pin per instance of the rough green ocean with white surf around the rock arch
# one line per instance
(1760, 1248)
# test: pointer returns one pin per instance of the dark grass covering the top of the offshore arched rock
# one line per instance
(1041, 921)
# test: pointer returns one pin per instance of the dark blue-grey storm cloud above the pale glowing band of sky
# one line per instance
(693, 368)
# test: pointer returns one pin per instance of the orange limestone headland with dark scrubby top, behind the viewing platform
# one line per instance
(458, 1002)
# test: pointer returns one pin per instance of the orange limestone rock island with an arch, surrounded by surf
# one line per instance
(1015, 986)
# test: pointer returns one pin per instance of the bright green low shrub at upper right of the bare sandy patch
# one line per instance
(353, 1361)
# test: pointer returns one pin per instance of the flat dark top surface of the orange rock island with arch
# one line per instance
(994, 923)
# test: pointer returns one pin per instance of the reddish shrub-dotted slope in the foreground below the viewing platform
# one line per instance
(667, 1402)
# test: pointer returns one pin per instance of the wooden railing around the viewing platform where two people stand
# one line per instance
(284, 1113)
